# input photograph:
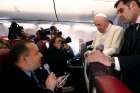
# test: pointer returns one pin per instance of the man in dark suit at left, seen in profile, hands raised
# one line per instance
(18, 73)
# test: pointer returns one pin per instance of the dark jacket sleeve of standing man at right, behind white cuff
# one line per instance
(130, 72)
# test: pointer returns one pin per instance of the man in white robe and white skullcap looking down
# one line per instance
(108, 37)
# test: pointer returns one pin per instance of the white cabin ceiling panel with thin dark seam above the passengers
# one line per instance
(66, 10)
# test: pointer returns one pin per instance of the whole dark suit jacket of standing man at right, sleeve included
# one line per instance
(129, 58)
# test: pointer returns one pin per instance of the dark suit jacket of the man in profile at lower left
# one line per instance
(16, 81)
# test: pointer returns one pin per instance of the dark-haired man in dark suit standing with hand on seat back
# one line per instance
(128, 62)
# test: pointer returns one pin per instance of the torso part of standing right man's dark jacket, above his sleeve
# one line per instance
(131, 44)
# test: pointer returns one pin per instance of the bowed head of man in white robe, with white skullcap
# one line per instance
(101, 22)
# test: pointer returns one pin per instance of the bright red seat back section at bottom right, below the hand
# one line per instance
(110, 84)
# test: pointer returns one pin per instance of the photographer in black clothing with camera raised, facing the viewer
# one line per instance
(56, 57)
